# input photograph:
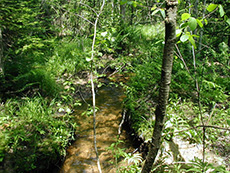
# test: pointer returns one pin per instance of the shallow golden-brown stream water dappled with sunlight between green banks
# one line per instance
(81, 157)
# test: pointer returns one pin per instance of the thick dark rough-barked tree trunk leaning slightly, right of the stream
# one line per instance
(170, 39)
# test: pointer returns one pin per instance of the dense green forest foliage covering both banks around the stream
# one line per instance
(44, 48)
